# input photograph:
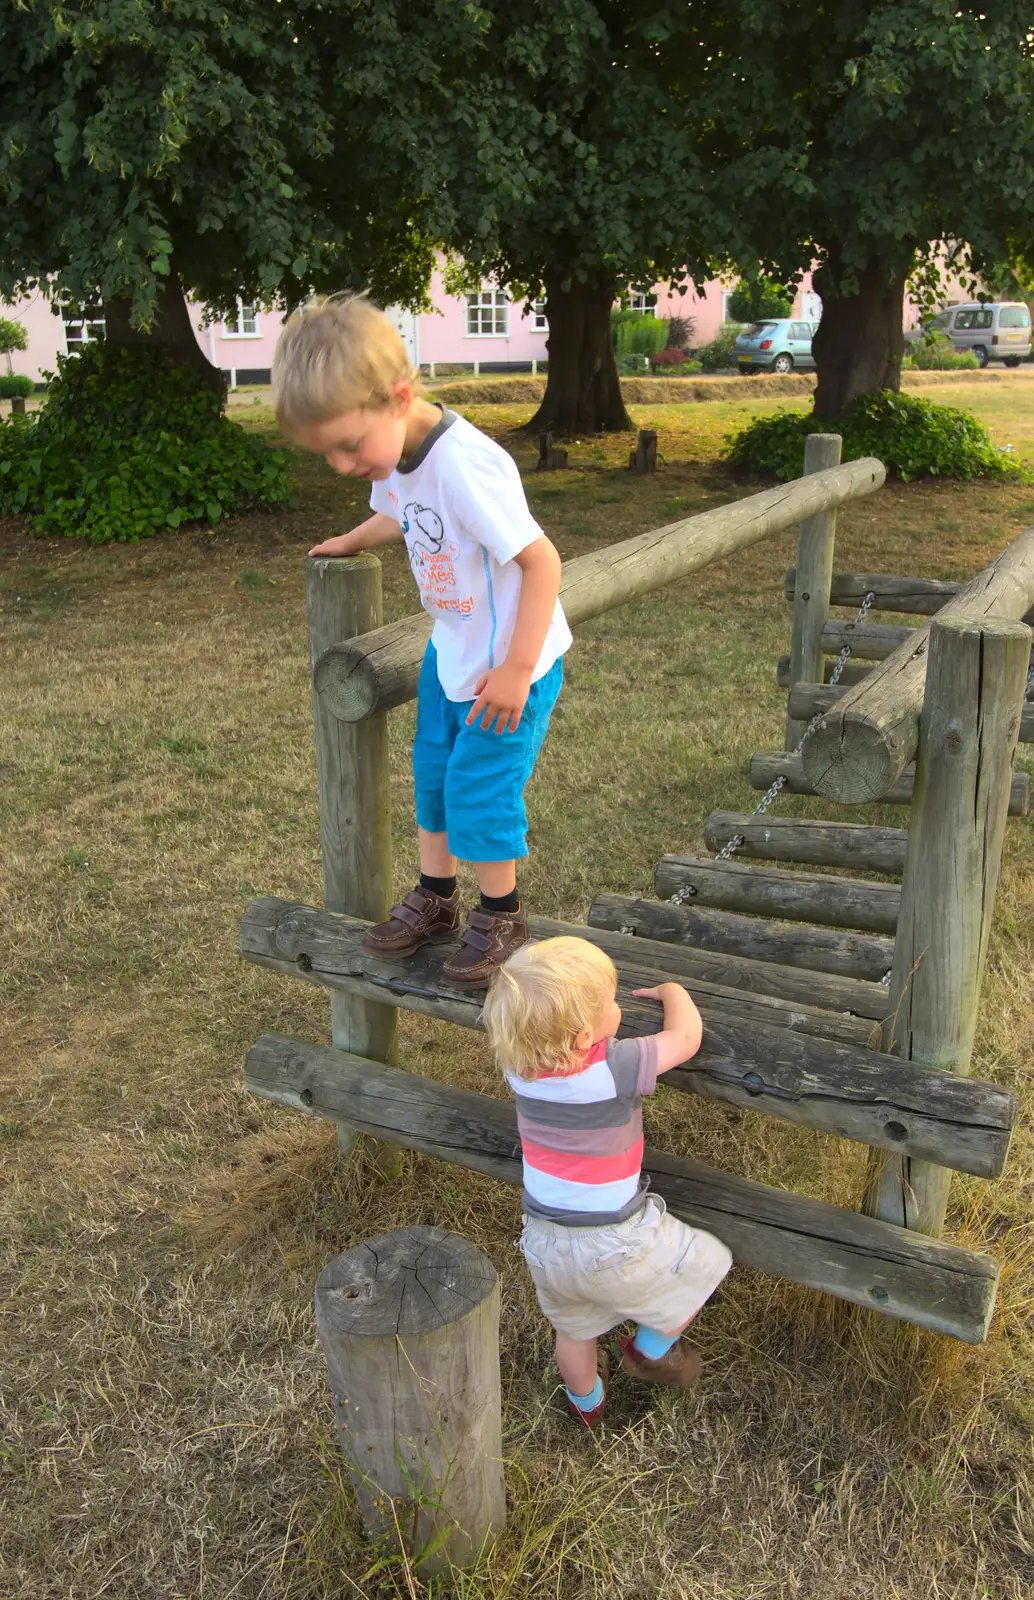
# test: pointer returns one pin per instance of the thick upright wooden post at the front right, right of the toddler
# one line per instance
(971, 719)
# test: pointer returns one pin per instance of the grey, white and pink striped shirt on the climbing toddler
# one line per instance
(582, 1135)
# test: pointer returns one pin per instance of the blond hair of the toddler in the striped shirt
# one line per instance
(542, 999)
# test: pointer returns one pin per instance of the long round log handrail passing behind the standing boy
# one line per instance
(380, 670)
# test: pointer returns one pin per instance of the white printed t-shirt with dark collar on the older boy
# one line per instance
(465, 518)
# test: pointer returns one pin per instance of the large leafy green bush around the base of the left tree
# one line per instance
(129, 446)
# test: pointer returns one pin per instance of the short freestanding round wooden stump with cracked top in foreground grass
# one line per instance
(411, 1332)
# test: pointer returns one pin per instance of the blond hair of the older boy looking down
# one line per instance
(337, 354)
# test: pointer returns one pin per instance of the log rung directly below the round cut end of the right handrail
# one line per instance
(852, 846)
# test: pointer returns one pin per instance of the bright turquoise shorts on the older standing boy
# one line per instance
(470, 783)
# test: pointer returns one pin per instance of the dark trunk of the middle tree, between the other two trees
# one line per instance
(583, 394)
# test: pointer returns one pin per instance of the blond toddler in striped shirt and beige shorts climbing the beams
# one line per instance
(599, 1247)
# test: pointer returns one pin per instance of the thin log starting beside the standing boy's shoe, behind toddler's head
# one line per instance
(737, 974)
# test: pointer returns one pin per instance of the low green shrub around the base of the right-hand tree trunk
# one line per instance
(910, 436)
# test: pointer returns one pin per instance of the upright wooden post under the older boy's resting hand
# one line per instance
(343, 601)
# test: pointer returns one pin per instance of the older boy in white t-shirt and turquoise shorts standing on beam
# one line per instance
(487, 575)
